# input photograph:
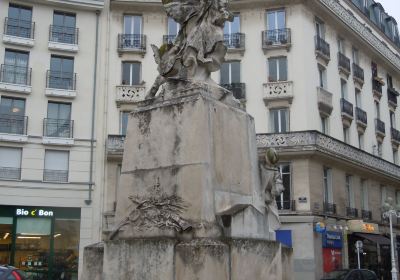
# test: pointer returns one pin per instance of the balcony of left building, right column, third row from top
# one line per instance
(58, 132)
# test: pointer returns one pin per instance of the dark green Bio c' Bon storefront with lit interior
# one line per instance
(42, 241)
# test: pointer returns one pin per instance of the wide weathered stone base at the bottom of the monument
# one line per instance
(197, 259)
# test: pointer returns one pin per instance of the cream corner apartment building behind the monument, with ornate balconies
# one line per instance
(321, 79)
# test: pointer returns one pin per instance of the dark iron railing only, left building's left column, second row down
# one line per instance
(17, 75)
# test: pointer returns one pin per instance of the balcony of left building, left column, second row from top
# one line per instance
(15, 79)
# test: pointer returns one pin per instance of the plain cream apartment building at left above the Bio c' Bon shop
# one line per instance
(48, 197)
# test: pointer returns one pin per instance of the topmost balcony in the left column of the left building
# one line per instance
(19, 32)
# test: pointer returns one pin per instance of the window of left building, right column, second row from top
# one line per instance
(61, 74)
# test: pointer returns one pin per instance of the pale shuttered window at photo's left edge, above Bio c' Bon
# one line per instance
(10, 163)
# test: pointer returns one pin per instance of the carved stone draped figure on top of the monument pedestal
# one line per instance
(199, 47)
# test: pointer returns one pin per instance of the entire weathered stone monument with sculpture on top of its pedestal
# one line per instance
(195, 202)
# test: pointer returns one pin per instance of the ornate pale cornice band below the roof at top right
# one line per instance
(342, 13)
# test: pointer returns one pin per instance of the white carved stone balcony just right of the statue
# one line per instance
(278, 92)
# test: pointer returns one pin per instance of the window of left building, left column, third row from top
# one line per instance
(12, 115)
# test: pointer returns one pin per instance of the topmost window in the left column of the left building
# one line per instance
(19, 22)
